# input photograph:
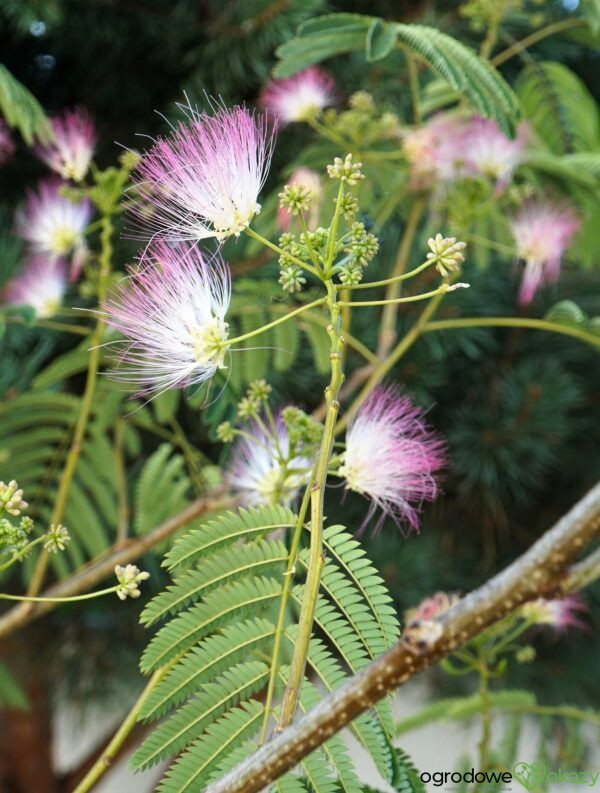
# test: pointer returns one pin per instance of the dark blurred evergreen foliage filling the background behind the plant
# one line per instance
(519, 409)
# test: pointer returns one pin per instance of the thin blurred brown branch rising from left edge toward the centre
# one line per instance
(103, 566)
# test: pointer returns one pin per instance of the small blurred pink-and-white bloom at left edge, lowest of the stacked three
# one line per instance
(41, 285)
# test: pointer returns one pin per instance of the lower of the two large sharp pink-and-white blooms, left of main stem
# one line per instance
(171, 311)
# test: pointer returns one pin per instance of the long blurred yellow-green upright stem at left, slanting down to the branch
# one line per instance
(68, 472)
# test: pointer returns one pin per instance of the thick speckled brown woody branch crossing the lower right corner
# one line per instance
(542, 571)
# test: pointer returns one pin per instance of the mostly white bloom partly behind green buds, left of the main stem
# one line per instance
(260, 471)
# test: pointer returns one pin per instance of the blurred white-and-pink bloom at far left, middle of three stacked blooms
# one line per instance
(53, 225)
